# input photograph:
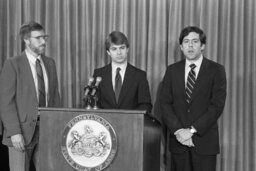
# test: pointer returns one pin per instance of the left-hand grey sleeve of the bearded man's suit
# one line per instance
(8, 108)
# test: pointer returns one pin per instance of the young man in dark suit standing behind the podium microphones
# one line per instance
(123, 86)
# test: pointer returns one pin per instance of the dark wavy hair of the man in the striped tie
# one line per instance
(190, 29)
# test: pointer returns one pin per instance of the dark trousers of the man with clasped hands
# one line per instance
(192, 161)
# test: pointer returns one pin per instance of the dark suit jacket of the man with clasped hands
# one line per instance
(207, 103)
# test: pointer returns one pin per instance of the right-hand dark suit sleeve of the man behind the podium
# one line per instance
(144, 98)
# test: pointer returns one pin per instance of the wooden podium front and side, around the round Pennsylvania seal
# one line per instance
(137, 135)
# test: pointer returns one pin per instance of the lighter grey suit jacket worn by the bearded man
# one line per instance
(18, 98)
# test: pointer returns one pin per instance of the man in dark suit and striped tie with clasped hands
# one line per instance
(192, 99)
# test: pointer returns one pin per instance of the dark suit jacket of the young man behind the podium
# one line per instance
(134, 93)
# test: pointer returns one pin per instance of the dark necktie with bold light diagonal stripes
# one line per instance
(191, 80)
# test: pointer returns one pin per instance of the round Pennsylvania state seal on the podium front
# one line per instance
(89, 143)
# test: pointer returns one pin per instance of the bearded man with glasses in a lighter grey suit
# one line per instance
(27, 81)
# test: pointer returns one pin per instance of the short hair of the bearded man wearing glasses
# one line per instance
(28, 27)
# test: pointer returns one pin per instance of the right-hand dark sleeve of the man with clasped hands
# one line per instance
(217, 102)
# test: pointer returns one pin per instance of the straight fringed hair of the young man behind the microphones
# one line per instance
(117, 38)
